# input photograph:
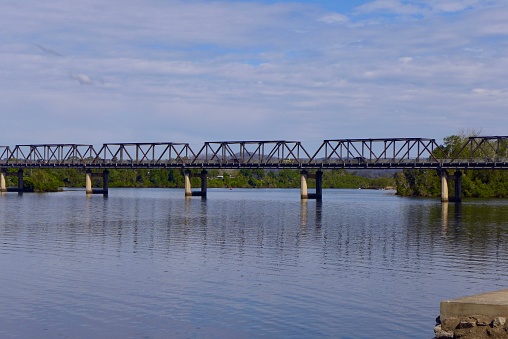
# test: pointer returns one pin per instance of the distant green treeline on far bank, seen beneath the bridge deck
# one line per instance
(48, 180)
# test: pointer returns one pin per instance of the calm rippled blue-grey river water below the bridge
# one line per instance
(242, 263)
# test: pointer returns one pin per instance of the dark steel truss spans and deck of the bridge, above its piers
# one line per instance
(486, 152)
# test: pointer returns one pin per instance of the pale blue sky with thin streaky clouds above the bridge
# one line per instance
(194, 71)
